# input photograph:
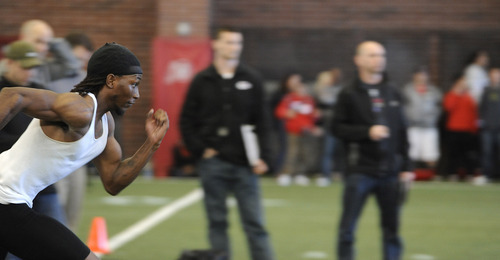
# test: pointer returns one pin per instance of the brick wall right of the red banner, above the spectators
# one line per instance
(314, 35)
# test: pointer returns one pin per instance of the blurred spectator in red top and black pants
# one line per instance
(461, 130)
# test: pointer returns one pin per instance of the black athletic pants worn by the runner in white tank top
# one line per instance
(31, 235)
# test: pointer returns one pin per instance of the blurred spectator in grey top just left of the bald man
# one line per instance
(327, 88)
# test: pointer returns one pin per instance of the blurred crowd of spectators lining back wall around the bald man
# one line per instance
(454, 134)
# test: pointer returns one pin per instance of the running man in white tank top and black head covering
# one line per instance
(68, 131)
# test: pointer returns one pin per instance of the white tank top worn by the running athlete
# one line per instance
(35, 161)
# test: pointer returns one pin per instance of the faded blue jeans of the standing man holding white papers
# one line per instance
(219, 179)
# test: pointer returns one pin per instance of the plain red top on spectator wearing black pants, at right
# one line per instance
(462, 112)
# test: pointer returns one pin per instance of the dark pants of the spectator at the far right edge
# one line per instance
(490, 149)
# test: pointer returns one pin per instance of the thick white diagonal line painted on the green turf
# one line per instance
(154, 219)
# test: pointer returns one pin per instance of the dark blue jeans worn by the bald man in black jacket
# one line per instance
(357, 189)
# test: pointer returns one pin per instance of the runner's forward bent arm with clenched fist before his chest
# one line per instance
(116, 174)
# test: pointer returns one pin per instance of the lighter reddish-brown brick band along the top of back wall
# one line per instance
(359, 14)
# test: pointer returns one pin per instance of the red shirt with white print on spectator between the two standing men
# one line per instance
(304, 108)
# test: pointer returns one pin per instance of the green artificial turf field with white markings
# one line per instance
(442, 221)
